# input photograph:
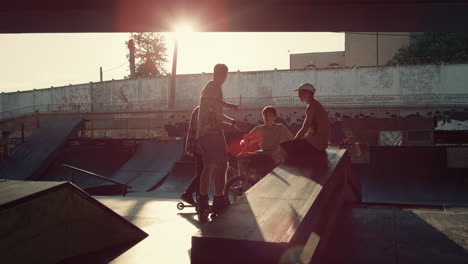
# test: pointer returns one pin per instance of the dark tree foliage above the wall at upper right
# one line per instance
(434, 48)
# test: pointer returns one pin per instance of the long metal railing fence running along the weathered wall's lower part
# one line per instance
(410, 100)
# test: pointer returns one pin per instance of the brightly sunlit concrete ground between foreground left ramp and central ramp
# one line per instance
(170, 230)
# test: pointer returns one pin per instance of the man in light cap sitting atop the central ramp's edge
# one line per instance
(314, 134)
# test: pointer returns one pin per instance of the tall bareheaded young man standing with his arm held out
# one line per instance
(212, 142)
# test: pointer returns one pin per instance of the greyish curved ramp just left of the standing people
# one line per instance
(149, 165)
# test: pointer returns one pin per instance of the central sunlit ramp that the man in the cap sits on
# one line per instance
(287, 215)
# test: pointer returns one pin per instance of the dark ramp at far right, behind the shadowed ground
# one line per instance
(414, 175)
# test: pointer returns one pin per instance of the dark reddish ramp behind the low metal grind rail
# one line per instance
(103, 157)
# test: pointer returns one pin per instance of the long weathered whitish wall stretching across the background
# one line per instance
(402, 80)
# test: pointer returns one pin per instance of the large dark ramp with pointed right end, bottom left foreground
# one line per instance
(49, 222)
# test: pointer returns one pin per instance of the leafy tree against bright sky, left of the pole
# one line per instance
(150, 54)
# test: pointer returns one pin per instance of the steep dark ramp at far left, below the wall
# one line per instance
(29, 160)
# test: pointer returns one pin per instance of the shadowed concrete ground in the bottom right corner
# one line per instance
(397, 235)
